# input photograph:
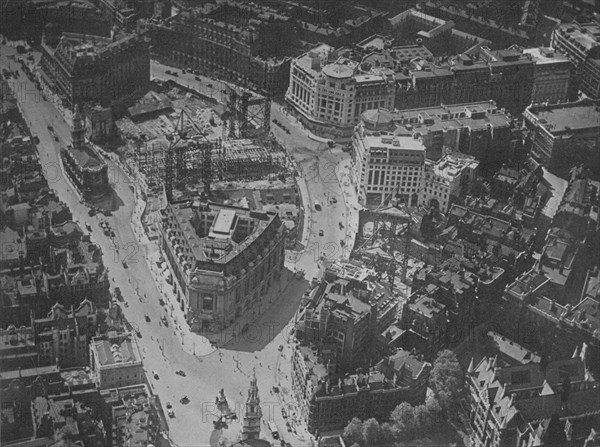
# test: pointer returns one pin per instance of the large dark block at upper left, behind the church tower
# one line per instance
(83, 68)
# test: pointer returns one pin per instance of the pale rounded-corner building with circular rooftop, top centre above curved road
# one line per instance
(330, 92)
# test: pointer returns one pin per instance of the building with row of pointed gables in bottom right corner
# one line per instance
(509, 404)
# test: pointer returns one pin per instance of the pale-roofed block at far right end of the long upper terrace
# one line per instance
(552, 75)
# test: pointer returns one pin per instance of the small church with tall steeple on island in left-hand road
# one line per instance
(83, 163)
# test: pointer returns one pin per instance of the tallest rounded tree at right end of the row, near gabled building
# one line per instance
(447, 380)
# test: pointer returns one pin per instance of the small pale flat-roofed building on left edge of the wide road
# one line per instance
(116, 361)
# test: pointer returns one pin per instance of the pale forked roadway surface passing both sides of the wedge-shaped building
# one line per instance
(143, 284)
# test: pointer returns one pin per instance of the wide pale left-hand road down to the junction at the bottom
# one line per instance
(207, 371)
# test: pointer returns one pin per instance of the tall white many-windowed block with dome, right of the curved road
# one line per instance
(386, 165)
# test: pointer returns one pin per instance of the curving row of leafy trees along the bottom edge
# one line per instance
(408, 422)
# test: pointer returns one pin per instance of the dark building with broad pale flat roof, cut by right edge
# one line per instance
(565, 135)
